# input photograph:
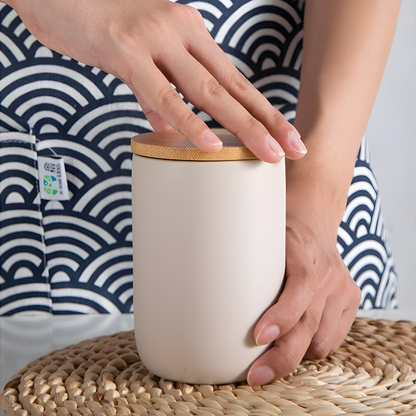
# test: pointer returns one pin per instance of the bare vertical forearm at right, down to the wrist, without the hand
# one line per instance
(346, 45)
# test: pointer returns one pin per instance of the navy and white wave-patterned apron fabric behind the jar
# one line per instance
(75, 256)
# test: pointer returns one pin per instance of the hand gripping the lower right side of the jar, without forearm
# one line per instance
(316, 308)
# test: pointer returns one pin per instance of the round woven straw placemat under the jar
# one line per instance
(372, 373)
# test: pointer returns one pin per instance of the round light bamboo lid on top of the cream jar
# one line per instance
(172, 145)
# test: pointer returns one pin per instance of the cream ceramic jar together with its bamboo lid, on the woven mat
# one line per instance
(209, 255)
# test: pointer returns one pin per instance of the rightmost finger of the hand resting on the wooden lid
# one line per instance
(250, 98)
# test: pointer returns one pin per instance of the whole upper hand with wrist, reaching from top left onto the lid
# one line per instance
(150, 44)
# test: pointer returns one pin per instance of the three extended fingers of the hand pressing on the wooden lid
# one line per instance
(221, 91)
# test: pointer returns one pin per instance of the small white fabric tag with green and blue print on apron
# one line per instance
(52, 177)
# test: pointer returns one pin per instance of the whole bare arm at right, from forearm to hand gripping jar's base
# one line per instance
(320, 299)
